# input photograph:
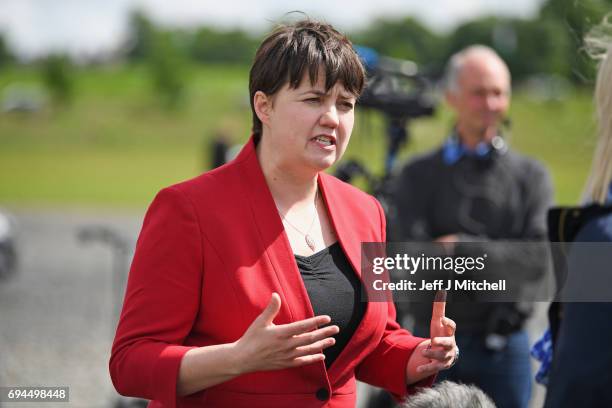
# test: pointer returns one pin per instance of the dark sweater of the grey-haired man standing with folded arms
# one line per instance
(499, 198)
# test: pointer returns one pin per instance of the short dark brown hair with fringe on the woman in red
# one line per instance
(305, 46)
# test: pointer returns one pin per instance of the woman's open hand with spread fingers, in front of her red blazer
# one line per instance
(267, 346)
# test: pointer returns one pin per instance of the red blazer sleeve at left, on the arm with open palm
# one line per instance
(161, 301)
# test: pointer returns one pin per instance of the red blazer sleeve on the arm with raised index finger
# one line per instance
(385, 366)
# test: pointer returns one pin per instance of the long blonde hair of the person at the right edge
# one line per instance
(599, 45)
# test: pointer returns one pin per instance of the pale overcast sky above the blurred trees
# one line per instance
(35, 27)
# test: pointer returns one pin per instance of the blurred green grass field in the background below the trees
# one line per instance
(115, 145)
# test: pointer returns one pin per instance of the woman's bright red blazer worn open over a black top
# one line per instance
(211, 252)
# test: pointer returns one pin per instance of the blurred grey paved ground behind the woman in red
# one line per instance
(57, 314)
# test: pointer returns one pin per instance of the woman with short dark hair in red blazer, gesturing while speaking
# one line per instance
(245, 286)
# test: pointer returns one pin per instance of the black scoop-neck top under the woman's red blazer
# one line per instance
(334, 290)
